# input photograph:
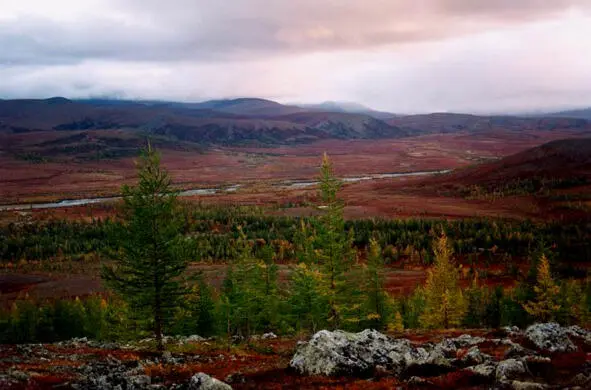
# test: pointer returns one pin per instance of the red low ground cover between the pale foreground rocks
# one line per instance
(261, 365)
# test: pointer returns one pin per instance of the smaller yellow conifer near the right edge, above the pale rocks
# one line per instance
(545, 304)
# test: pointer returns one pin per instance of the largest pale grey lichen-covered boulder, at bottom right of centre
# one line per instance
(341, 353)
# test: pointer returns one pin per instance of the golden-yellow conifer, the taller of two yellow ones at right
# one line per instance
(444, 301)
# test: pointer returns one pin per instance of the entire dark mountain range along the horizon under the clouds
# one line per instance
(117, 127)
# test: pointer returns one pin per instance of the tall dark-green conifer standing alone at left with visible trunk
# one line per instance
(151, 257)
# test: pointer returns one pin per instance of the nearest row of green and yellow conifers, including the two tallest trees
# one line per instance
(329, 286)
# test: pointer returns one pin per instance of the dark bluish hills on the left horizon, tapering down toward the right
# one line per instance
(117, 128)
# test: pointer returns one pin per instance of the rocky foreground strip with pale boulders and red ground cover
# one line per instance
(544, 356)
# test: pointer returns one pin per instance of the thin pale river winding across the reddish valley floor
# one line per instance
(286, 185)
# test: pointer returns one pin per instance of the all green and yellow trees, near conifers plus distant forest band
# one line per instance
(336, 278)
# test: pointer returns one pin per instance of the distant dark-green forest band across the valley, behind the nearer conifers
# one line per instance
(211, 232)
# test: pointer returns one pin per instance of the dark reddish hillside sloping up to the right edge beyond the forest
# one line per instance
(553, 172)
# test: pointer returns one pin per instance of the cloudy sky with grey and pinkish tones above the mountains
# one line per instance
(403, 56)
